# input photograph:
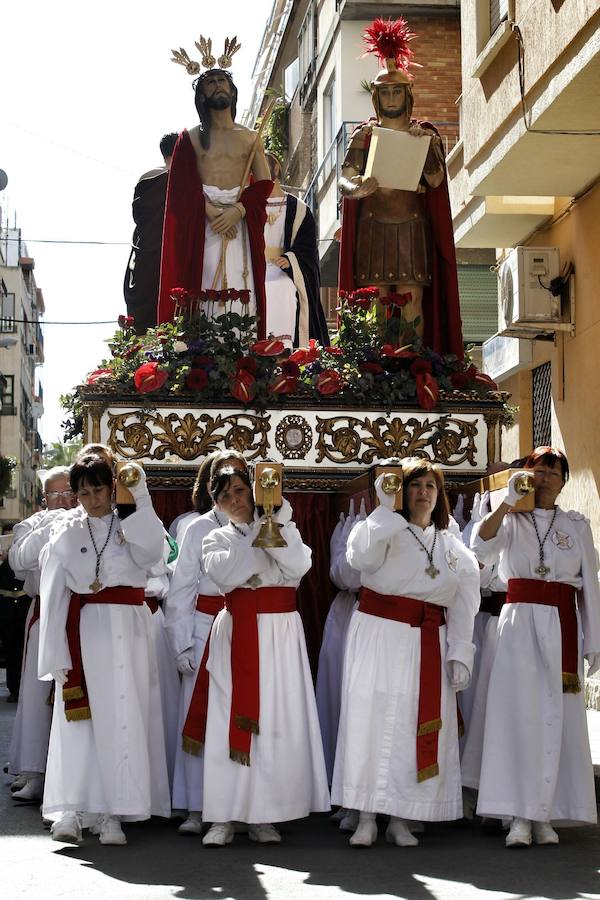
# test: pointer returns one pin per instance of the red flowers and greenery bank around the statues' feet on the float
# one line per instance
(209, 351)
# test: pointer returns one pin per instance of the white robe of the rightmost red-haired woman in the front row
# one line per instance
(536, 756)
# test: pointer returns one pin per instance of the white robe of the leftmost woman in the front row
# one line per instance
(114, 762)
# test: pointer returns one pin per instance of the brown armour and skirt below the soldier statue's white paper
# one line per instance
(393, 240)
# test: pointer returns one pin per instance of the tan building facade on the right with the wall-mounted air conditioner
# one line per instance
(526, 172)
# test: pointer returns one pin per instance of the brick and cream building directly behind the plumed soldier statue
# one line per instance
(312, 52)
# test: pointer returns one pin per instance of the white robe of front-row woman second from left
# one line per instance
(286, 778)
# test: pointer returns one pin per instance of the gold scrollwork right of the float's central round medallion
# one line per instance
(446, 440)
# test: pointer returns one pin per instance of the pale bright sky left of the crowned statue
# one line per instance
(88, 90)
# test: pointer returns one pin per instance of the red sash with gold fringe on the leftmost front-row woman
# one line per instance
(74, 691)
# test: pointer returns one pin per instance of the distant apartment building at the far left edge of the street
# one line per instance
(22, 351)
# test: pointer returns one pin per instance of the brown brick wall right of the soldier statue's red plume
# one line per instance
(438, 84)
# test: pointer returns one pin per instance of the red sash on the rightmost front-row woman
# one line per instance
(554, 593)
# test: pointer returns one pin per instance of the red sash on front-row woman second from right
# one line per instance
(428, 617)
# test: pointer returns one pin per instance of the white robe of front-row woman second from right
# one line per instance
(375, 764)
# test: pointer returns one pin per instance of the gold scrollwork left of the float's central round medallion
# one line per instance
(136, 434)
